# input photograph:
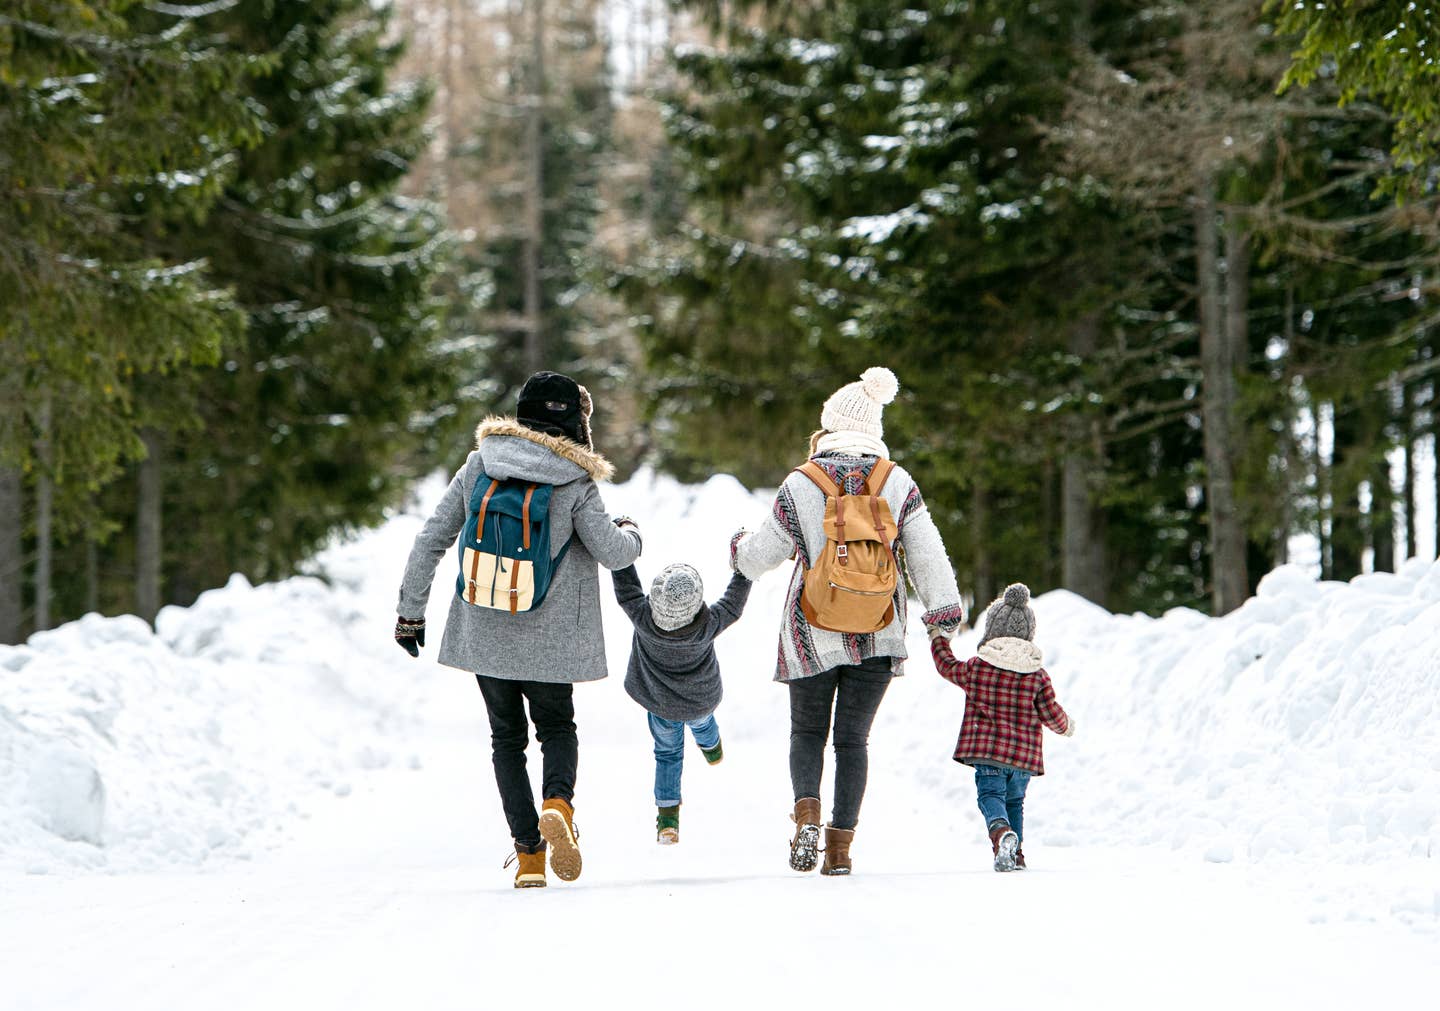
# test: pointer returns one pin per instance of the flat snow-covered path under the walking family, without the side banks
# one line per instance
(395, 898)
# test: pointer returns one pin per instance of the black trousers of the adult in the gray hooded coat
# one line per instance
(552, 711)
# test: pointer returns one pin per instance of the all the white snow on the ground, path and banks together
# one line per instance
(266, 803)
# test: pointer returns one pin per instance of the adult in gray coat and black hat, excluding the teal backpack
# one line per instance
(534, 657)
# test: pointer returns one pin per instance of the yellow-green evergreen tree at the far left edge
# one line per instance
(94, 104)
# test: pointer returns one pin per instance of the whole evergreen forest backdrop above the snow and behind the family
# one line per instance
(1160, 280)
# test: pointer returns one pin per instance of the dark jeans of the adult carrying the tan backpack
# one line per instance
(855, 695)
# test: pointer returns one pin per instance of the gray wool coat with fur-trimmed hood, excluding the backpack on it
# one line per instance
(562, 642)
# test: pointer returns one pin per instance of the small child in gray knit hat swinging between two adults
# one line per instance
(675, 673)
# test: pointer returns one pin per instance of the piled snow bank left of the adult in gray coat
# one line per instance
(125, 748)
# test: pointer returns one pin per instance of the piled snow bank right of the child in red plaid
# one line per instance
(1307, 722)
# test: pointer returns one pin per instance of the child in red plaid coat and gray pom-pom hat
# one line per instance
(1009, 698)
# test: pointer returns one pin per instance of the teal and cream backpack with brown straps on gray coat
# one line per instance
(505, 548)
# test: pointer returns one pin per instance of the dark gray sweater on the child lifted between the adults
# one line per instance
(676, 675)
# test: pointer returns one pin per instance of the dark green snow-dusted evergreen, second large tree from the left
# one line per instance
(309, 423)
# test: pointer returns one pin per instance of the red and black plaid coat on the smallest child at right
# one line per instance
(1004, 712)
